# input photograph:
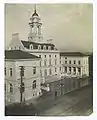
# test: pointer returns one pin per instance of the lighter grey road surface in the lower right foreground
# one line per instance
(78, 102)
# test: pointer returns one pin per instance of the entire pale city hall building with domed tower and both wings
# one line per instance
(43, 62)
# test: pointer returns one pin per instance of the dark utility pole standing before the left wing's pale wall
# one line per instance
(22, 88)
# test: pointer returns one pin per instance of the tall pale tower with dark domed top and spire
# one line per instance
(35, 24)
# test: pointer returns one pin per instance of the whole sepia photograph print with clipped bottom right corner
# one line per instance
(48, 59)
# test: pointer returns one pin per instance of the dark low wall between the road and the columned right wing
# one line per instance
(63, 86)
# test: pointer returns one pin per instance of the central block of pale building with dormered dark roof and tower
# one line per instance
(36, 45)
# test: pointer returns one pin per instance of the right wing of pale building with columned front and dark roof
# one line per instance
(74, 64)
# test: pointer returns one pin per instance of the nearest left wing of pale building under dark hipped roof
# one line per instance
(31, 76)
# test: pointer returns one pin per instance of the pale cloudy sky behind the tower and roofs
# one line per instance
(69, 25)
